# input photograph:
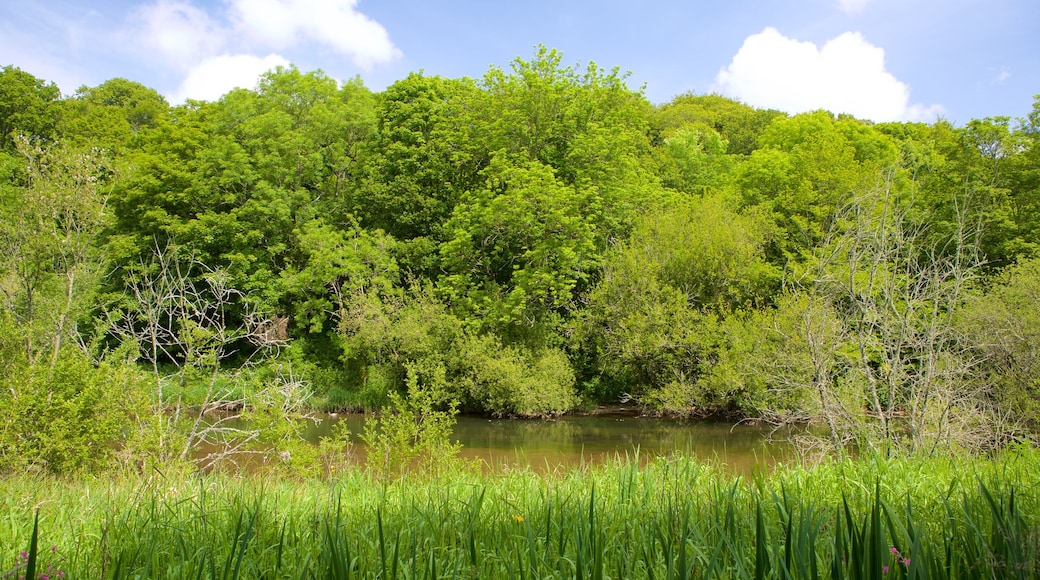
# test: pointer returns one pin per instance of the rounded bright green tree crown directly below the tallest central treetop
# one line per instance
(519, 249)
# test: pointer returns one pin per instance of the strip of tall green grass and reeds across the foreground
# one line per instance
(677, 518)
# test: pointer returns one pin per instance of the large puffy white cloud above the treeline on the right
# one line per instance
(847, 75)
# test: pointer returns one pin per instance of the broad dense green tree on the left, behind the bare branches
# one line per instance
(236, 180)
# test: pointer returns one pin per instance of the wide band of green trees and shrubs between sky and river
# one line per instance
(536, 242)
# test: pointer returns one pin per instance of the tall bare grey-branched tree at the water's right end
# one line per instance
(915, 374)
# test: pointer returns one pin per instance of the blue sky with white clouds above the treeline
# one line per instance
(876, 60)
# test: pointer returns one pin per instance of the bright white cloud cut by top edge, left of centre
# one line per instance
(334, 23)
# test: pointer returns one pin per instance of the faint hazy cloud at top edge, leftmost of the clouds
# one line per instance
(179, 33)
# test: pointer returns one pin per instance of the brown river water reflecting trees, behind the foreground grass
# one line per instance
(547, 445)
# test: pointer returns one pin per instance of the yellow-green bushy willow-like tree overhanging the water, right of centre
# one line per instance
(653, 320)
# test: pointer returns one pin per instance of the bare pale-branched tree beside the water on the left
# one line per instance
(179, 312)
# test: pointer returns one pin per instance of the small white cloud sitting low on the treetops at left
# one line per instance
(216, 76)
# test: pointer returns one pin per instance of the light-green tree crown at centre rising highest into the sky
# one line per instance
(588, 127)
